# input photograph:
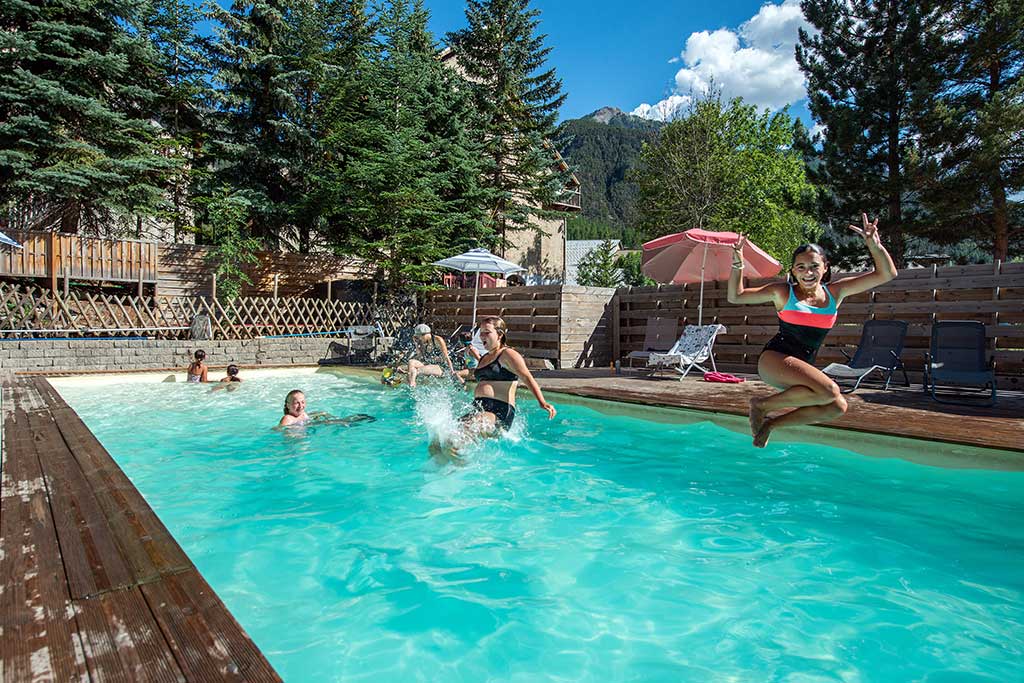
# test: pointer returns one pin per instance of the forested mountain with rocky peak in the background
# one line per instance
(603, 147)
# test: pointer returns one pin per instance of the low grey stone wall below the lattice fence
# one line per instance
(116, 355)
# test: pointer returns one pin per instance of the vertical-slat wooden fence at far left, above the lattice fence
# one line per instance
(58, 257)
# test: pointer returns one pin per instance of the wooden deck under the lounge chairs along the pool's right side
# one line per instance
(900, 412)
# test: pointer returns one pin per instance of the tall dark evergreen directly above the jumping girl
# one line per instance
(869, 68)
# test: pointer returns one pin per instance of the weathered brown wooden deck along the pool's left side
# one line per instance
(95, 588)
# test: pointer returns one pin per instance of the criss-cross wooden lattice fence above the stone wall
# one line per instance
(32, 312)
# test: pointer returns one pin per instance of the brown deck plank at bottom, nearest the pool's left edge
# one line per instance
(208, 644)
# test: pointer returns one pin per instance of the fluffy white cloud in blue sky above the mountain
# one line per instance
(755, 63)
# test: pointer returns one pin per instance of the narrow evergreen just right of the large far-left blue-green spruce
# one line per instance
(184, 100)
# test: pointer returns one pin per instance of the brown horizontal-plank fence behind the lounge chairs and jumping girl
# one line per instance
(993, 294)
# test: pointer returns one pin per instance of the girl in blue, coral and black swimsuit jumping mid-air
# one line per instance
(807, 307)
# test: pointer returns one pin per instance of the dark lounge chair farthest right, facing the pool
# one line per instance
(957, 361)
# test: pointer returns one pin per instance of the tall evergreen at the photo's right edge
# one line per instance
(973, 132)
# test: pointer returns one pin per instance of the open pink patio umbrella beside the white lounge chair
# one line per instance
(700, 257)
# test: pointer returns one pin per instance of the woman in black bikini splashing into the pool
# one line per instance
(498, 377)
